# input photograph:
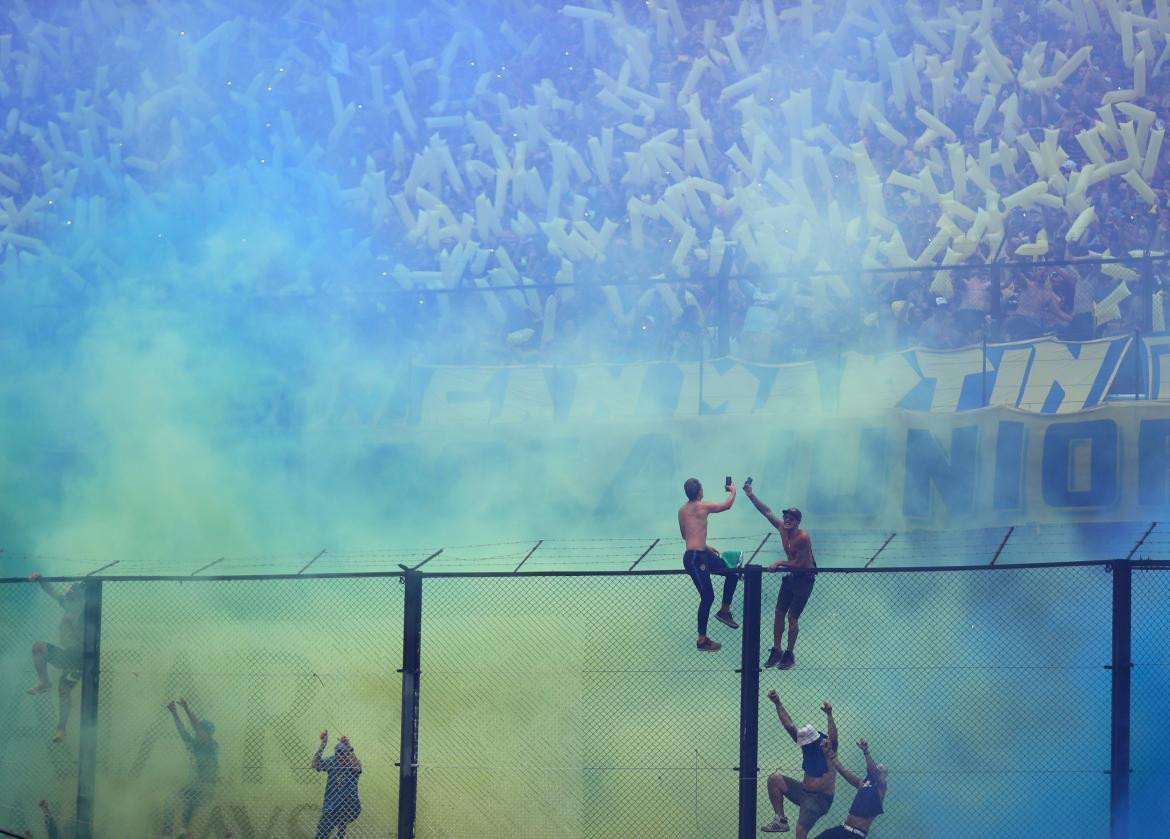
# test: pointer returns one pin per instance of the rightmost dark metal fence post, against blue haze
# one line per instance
(1120, 698)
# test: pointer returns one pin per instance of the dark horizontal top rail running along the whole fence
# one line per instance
(1107, 565)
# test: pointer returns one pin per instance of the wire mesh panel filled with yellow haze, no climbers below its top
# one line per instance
(574, 707)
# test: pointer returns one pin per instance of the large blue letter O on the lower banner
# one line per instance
(1058, 478)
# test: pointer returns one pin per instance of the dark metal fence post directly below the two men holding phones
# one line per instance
(749, 702)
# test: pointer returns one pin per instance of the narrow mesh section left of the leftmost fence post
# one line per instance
(33, 767)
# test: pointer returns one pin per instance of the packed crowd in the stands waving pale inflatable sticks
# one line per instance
(462, 280)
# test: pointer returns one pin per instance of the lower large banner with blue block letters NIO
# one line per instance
(905, 470)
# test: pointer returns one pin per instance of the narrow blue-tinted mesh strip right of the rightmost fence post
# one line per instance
(1151, 706)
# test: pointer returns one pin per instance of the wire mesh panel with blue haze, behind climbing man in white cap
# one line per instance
(986, 693)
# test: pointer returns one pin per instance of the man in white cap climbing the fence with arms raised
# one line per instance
(815, 795)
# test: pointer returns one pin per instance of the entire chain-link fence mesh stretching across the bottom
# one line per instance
(576, 705)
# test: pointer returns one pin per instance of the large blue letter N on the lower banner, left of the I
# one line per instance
(927, 465)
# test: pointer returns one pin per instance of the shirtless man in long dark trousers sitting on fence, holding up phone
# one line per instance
(701, 561)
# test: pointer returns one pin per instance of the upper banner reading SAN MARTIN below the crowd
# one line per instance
(1045, 376)
